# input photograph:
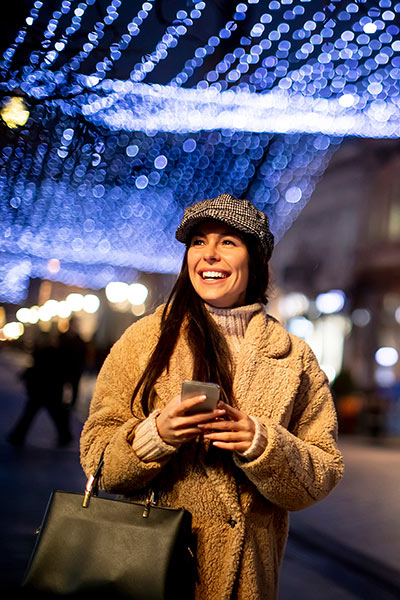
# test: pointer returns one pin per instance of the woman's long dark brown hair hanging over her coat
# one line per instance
(211, 356)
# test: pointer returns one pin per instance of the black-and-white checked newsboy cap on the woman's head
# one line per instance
(237, 213)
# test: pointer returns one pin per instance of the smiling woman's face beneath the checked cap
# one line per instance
(218, 264)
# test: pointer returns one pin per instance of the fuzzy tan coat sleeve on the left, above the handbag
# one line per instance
(111, 422)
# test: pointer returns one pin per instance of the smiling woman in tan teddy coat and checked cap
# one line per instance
(269, 447)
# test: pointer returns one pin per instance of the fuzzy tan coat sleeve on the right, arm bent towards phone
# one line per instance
(300, 465)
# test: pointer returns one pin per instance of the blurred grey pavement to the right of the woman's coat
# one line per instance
(352, 538)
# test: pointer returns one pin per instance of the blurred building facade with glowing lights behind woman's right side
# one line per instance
(348, 239)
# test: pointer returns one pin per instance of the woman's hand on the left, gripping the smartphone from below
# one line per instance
(175, 428)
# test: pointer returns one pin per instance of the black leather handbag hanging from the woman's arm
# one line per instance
(89, 546)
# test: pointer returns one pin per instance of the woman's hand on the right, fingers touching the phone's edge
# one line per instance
(235, 434)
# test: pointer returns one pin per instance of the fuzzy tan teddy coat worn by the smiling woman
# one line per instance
(239, 508)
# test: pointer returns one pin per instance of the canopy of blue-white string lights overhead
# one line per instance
(137, 109)
